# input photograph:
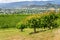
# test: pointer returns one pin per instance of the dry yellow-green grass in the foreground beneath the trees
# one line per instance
(15, 34)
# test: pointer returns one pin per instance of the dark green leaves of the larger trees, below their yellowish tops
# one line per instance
(46, 21)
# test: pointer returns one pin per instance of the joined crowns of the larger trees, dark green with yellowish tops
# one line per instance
(45, 20)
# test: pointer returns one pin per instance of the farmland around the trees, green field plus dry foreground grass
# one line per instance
(8, 30)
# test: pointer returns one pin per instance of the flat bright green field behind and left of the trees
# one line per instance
(10, 21)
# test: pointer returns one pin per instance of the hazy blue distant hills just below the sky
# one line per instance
(25, 4)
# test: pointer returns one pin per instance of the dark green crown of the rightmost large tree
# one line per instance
(48, 21)
